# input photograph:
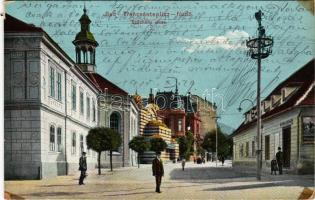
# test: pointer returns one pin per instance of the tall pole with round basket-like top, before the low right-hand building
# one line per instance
(259, 48)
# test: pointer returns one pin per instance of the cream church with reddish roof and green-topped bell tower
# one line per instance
(117, 109)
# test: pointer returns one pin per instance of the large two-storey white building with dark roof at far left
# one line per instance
(50, 105)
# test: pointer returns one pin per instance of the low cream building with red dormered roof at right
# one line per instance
(287, 122)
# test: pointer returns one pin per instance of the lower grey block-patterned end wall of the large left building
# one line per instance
(22, 156)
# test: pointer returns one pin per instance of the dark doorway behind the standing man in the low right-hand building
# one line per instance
(286, 144)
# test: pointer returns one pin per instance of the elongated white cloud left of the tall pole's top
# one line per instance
(232, 40)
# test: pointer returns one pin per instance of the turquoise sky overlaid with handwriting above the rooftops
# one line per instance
(201, 43)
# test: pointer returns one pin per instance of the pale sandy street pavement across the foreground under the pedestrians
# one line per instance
(203, 181)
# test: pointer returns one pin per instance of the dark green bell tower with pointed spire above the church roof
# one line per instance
(85, 45)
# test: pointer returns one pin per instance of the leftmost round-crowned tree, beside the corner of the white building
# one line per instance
(96, 141)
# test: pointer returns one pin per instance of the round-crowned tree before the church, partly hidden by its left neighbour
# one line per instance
(112, 143)
